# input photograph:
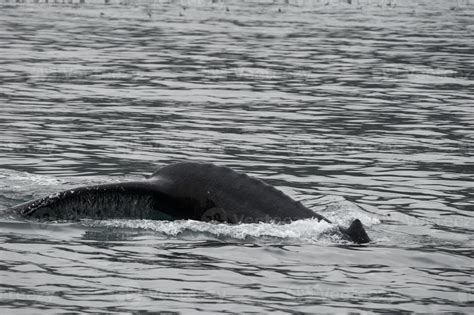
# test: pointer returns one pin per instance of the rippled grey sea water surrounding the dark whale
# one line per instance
(356, 110)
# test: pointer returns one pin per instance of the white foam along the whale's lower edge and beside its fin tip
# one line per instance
(337, 209)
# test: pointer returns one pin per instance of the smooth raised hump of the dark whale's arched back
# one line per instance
(236, 196)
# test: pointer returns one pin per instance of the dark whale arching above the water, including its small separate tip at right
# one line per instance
(180, 191)
